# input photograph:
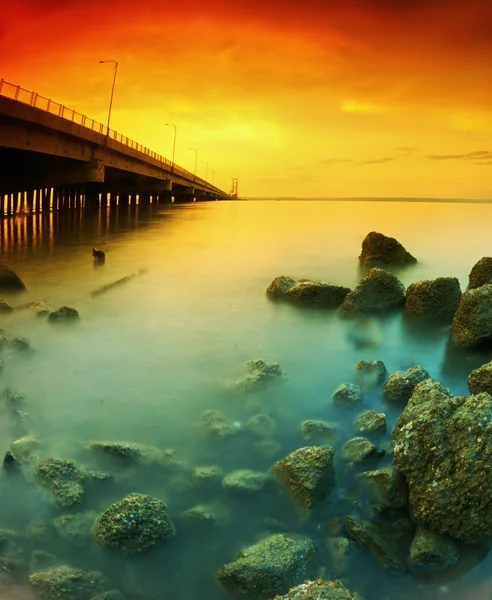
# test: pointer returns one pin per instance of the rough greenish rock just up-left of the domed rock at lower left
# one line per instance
(64, 479)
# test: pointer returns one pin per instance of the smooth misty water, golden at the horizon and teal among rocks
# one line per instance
(149, 357)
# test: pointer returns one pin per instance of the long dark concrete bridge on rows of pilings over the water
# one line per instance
(52, 157)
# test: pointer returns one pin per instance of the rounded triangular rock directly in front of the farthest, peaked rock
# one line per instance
(378, 290)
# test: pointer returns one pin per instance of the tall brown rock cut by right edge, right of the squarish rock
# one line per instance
(472, 323)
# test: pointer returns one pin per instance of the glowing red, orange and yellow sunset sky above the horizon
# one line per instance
(316, 99)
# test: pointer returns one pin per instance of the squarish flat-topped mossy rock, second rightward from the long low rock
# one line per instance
(436, 299)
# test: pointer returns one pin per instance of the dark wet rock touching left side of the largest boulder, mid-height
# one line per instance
(386, 487)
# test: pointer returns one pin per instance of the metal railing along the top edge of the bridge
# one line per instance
(19, 94)
